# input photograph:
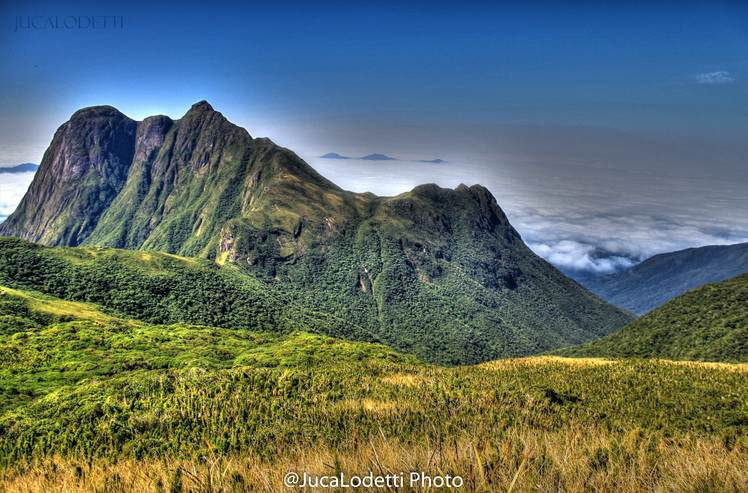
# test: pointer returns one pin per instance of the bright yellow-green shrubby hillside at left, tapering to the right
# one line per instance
(52, 344)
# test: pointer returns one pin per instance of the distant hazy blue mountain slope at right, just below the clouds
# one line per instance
(662, 277)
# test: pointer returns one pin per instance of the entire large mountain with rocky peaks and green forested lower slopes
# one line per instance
(439, 273)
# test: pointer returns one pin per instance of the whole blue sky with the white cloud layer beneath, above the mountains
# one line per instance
(608, 131)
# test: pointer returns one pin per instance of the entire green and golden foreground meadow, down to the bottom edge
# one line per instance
(93, 402)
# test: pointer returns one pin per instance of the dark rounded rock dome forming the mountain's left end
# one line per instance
(81, 173)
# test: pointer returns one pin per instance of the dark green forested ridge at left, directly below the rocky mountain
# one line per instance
(159, 288)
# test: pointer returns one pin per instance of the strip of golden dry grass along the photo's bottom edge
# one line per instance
(576, 460)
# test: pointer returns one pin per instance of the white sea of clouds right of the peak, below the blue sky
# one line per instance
(586, 219)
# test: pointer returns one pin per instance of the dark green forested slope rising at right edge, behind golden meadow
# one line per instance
(709, 323)
